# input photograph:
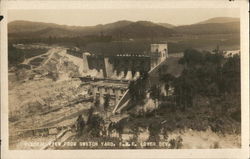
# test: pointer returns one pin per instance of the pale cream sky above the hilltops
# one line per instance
(90, 17)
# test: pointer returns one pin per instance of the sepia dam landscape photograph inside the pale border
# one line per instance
(106, 79)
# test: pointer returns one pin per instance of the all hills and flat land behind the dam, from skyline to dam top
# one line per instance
(103, 38)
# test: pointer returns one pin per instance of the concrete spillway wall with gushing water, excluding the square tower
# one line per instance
(126, 67)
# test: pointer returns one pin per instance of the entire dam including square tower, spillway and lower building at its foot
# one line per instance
(110, 75)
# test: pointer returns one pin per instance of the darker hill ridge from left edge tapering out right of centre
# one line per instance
(127, 29)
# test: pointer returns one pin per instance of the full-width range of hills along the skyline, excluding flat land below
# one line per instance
(122, 29)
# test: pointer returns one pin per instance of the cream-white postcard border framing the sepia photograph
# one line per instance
(186, 153)
